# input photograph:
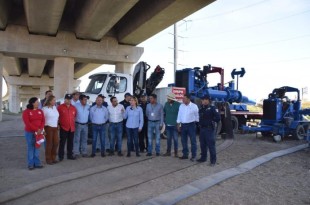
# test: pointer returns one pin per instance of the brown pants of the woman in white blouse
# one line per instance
(52, 142)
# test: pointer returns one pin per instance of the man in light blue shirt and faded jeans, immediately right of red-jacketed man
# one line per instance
(81, 127)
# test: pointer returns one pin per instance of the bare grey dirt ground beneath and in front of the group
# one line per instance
(285, 180)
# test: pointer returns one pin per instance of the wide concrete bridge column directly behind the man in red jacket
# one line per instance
(63, 76)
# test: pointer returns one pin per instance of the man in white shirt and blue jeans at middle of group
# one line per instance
(116, 111)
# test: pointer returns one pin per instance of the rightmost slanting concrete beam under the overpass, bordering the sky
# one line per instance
(149, 17)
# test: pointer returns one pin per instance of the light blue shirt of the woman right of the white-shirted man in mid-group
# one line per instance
(134, 117)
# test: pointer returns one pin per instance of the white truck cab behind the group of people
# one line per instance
(108, 84)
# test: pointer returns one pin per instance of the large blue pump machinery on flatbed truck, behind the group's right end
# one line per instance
(231, 102)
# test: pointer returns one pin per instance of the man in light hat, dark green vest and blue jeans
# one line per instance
(171, 110)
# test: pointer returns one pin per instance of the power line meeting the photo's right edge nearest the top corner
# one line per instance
(251, 26)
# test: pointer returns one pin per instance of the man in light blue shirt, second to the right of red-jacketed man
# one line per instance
(99, 116)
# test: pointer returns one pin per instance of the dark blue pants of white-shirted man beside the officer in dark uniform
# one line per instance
(189, 129)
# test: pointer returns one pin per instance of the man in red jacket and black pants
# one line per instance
(67, 115)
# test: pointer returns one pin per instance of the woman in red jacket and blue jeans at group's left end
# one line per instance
(34, 123)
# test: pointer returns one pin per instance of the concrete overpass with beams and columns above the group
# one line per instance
(49, 44)
